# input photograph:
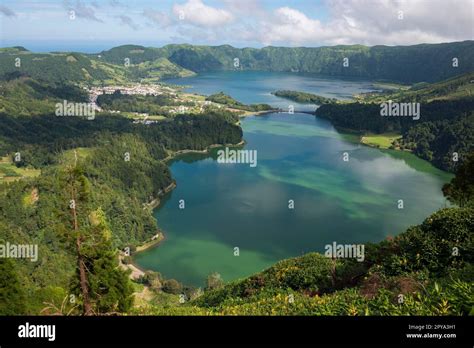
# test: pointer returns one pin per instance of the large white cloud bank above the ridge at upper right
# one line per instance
(388, 22)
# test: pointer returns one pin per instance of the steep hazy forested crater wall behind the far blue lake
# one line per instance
(409, 64)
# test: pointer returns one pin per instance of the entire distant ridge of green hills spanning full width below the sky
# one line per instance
(408, 64)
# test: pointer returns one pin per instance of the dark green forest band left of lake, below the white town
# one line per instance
(42, 139)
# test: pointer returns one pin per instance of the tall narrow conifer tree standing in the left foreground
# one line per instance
(104, 287)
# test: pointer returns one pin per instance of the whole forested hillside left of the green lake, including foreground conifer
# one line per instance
(113, 167)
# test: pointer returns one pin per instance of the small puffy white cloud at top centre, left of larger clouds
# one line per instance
(197, 13)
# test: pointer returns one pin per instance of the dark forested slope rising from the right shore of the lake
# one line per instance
(445, 126)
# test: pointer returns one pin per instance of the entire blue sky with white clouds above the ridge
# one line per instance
(93, 25)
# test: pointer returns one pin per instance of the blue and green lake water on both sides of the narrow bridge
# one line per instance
(300, 158)
